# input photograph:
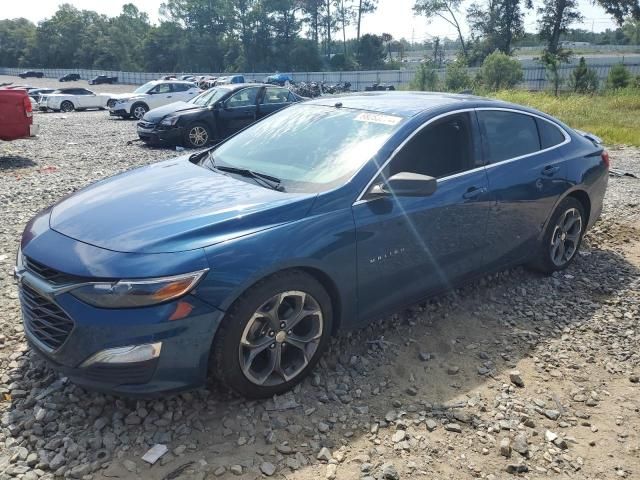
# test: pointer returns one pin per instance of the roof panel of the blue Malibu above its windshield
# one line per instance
(408, 104)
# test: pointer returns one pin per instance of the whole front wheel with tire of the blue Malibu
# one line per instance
(273, 335)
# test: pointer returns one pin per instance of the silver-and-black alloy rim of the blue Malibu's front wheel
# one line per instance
(281, 338)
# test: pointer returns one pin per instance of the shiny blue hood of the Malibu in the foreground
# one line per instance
(172, 206)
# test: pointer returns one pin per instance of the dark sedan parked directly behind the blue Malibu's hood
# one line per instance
(213, 115)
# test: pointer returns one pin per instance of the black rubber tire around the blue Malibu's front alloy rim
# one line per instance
(225, 358)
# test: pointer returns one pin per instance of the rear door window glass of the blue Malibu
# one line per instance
(507, 135)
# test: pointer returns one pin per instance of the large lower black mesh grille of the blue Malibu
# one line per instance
(44, 319)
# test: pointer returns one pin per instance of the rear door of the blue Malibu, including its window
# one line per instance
(526, 175)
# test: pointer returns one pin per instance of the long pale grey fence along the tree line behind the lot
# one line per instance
(535, 78)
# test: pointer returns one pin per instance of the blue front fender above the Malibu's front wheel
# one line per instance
(324, 243)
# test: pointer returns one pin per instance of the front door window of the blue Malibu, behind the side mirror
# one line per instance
(441, 149)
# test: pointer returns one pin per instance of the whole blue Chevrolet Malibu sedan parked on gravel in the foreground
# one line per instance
(242, 260)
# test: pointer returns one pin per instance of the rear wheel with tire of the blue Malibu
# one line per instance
(547, 259)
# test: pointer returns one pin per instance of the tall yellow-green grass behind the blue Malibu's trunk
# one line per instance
(613, 116)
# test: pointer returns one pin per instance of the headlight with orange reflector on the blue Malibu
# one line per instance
(137, 293)
